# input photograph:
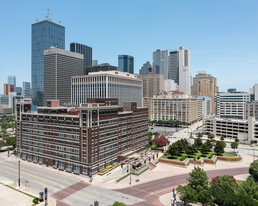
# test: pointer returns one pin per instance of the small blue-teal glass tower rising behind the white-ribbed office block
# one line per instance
(126, 63)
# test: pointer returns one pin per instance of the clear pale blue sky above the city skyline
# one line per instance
(222, 35)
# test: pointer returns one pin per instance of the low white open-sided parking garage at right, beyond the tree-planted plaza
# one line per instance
(244, 130)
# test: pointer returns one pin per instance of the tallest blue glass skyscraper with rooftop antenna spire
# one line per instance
(44, 34)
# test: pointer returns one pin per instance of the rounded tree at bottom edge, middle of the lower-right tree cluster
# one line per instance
(223, 190)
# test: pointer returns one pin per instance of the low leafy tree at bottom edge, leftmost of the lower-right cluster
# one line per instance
(187, 194)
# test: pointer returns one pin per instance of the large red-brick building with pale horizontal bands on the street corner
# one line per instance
(84, 140)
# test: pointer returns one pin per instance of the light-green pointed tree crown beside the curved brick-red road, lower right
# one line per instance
(198, 179)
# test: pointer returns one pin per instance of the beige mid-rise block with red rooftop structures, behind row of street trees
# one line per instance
(169, 106)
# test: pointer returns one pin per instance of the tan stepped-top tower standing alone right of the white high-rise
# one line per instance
(205, 84)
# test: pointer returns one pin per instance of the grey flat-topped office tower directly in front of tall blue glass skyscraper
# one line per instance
(59, 66)
